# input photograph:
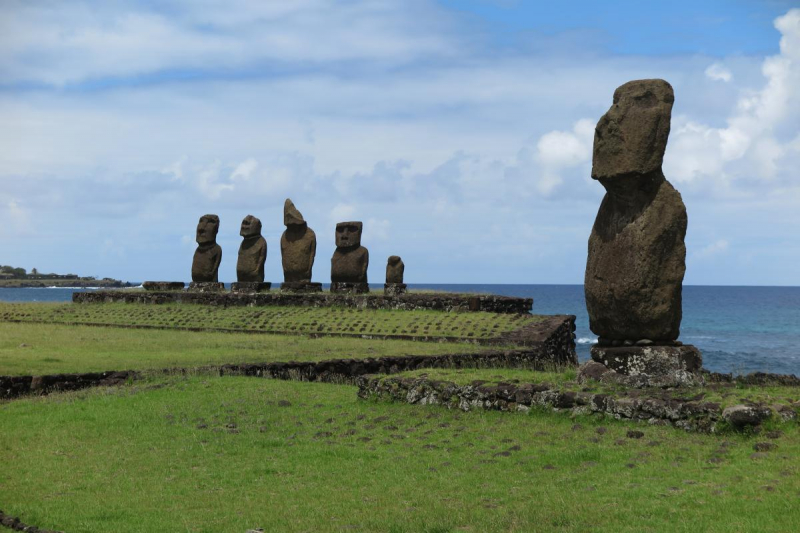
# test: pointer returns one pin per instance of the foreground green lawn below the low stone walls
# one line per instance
(224, 455)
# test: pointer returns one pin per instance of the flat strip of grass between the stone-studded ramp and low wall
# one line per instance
(51, 348)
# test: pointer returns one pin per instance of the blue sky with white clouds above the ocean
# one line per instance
(459, 131)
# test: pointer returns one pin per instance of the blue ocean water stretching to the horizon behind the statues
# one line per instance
(738, 329)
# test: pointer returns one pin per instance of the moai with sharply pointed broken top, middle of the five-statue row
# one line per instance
(298, 246)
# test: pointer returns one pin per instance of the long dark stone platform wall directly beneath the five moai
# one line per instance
(409, 302)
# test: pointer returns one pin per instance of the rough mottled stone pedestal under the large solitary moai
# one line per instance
(650, 360)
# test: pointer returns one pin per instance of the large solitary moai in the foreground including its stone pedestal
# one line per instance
(636, 260)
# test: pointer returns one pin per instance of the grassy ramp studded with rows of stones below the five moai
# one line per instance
(472, 325)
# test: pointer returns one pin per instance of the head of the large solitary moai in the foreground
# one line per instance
(632, 136)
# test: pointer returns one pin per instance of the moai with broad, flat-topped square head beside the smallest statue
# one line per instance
(350, 260)
